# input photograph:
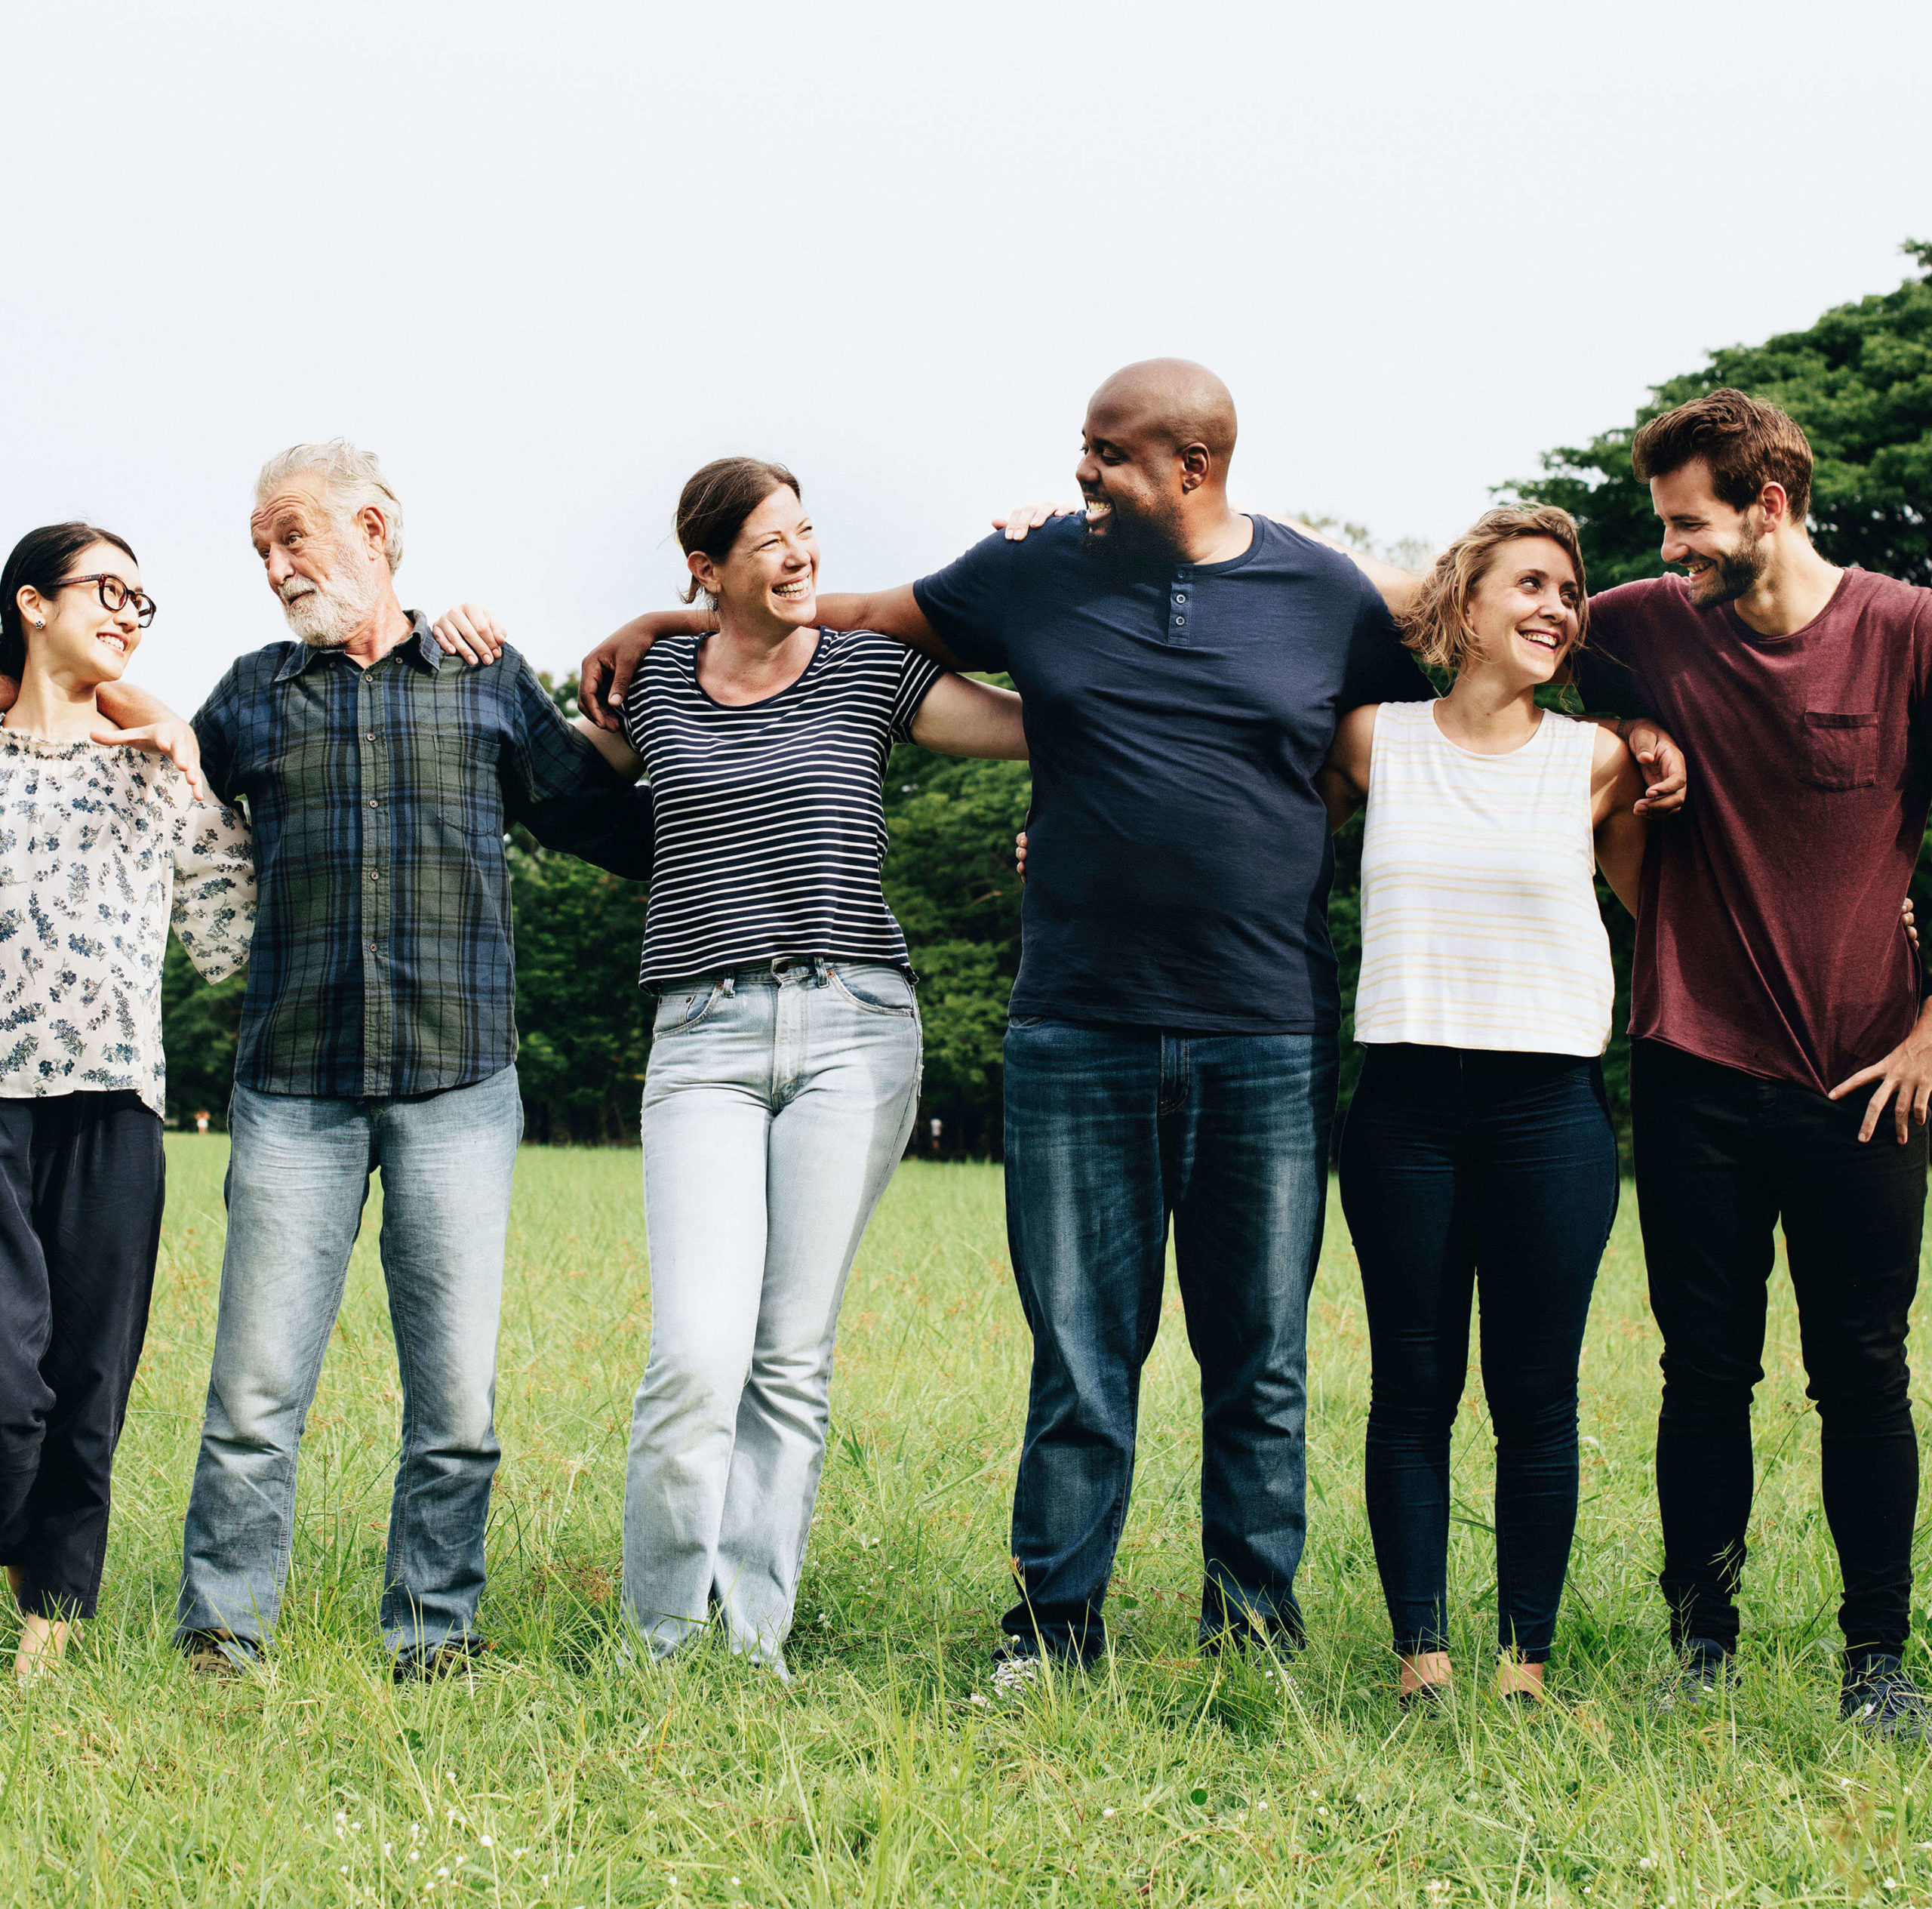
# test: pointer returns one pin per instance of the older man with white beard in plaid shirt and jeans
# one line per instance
(378, 1033)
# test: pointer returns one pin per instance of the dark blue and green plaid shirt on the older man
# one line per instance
(384, 959)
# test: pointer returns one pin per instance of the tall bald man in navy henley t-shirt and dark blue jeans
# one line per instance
(1174, 1031)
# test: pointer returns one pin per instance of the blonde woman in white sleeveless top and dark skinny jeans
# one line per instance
(1479, 1151)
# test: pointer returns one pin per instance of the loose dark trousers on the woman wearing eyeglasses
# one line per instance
(80, 1224)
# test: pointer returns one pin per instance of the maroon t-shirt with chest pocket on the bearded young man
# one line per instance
(1769, 926)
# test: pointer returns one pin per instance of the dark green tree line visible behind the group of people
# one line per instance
(1860, 382)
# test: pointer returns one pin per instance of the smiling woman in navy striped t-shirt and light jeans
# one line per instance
(785, 1058)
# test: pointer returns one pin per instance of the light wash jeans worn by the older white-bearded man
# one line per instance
(298, 1176)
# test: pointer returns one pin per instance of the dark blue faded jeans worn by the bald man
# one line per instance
(1110, 1133)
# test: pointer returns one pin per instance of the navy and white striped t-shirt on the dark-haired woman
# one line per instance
(770, 816)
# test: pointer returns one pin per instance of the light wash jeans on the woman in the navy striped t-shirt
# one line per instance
(776, 1108)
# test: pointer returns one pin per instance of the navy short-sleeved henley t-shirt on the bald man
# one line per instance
(1178, 855)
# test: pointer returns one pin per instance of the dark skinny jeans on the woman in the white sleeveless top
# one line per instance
(1467, 1170)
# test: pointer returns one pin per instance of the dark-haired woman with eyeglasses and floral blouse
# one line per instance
(101, 851)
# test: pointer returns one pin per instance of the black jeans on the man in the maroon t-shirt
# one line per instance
(1722, 1156)
